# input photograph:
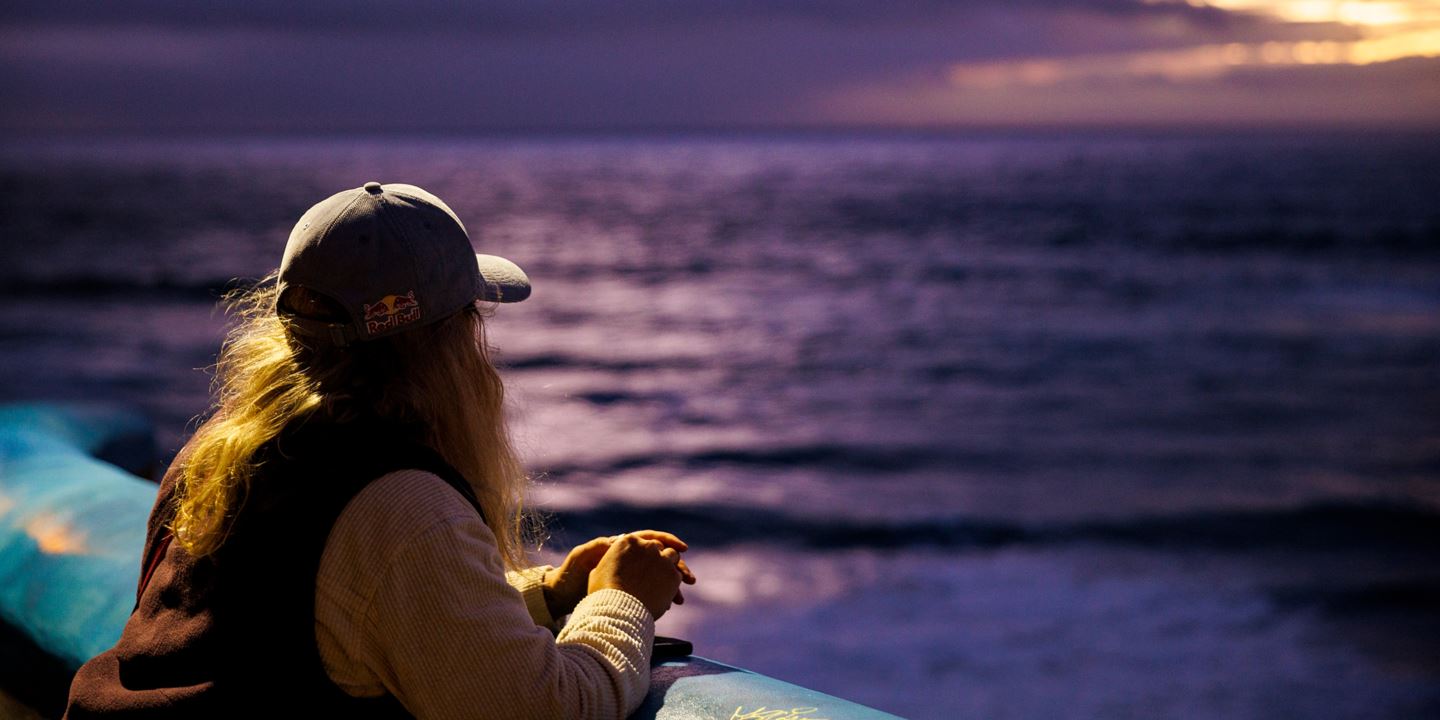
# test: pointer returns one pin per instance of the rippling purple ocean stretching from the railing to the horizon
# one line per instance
(1007, 427)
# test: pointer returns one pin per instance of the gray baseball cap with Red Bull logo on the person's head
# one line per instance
(394, 257)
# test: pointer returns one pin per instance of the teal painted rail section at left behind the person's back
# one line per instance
(71, 526)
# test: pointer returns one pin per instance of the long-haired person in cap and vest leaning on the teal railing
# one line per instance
(346, 535)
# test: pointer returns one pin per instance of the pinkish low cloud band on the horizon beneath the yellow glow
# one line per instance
(1403, 93)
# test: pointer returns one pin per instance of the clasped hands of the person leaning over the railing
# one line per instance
(644, 564)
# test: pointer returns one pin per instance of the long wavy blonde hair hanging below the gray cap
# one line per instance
(438, 375)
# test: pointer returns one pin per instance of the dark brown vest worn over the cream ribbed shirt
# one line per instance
(234, 634)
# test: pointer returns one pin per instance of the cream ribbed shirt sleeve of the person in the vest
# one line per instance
(413, 600)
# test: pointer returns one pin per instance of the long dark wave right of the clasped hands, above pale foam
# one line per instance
(1315, 526)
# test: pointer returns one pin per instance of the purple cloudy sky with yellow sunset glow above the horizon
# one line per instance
(558, 66)
